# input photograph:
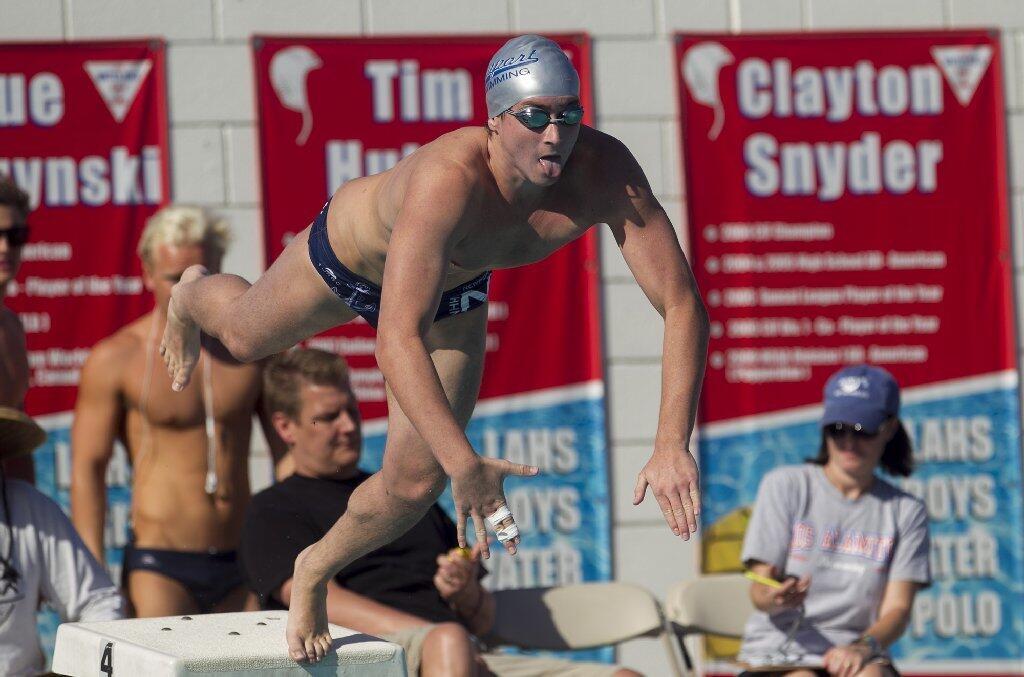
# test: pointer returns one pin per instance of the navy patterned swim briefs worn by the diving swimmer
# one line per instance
(365, 298)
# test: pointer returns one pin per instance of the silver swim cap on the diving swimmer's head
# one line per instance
(525, 67)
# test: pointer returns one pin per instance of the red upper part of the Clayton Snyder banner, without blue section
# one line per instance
(847, 202)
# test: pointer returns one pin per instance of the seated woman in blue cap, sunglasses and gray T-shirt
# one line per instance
(850, 549)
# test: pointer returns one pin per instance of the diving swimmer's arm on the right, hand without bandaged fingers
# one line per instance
(652, 250)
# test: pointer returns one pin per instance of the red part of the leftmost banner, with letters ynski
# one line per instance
(83, 131)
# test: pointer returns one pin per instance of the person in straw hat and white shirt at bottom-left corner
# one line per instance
(44, 559)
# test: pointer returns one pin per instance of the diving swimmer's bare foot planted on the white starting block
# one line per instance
(308, 633)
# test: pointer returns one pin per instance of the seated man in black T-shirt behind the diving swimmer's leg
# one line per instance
(418, 591)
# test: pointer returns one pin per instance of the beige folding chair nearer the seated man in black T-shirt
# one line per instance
(578, 617)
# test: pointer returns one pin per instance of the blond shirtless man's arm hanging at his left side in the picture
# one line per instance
(99, 416)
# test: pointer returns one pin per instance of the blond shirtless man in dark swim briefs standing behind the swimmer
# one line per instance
(190, 449)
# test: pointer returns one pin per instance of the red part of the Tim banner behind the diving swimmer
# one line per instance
(332, 110)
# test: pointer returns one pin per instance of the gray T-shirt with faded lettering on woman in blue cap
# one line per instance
(851, 548)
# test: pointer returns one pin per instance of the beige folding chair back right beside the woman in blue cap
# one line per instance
(716, 605)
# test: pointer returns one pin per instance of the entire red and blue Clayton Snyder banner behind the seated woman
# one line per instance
(847, 203)
